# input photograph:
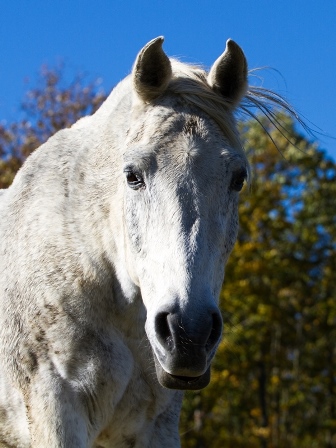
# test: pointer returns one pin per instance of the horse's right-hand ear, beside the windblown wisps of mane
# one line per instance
(228, 75)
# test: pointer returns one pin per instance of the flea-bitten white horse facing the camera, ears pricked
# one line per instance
(114, 238)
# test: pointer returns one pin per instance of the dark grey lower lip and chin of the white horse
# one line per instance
(181, 382)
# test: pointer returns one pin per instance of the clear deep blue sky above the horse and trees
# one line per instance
(102, 38)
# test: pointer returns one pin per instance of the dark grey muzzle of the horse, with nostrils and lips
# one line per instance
(185, 347)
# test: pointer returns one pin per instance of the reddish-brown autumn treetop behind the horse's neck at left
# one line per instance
(49, 107)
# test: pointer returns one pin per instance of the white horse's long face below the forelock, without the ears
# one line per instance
(182, 180)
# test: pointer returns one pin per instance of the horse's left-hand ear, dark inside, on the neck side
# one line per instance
(152, 70)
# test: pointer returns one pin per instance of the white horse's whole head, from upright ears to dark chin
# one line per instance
(183, 168)
